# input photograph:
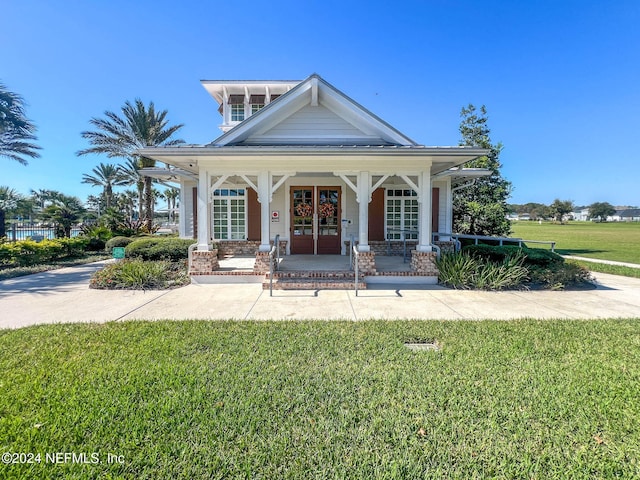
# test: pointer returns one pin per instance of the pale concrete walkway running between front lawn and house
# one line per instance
(64, 296)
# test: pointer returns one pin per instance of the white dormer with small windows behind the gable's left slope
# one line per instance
(239, 99)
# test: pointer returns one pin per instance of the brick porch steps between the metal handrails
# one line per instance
(314, 280)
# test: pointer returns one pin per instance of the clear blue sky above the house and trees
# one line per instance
(560, 79)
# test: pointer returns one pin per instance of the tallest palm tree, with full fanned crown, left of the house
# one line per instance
(122, 136)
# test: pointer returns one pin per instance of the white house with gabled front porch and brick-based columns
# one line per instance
(302, 160)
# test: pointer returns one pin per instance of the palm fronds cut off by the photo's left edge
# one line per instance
(16, 130)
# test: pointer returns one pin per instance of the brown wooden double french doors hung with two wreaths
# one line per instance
(315, 220)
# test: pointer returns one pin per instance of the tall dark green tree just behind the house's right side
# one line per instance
(481, 209)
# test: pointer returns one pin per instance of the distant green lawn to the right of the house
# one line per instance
(618, 241)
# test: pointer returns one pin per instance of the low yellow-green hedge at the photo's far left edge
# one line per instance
(29, 252)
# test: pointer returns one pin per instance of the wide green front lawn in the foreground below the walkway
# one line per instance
(521, 399)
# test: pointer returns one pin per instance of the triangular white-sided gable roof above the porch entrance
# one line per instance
(313, 113)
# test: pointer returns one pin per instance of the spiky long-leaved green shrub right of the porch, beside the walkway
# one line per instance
(462, 270)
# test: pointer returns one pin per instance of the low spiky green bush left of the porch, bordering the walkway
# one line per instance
(141, 275)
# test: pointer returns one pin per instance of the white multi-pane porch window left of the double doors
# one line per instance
(230, 214)
